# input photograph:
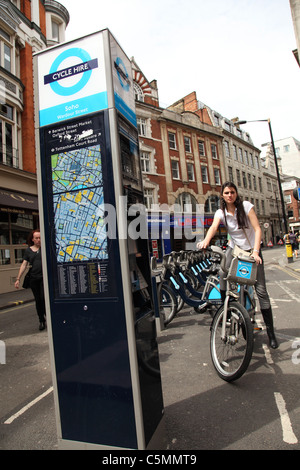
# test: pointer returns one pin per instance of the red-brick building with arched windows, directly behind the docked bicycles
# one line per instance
(182, 164)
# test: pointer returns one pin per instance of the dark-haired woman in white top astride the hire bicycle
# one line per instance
(243, 227)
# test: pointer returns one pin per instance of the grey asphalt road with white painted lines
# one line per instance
(259, 411)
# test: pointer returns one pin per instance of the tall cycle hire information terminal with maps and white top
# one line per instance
(101, 323)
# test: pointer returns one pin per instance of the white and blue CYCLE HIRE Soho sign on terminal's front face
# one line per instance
(72, 80)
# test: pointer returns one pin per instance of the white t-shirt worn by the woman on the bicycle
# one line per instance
(237, 234)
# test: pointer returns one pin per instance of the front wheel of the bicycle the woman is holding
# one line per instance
(231, 353)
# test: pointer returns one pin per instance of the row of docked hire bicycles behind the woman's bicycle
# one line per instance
(192, 278)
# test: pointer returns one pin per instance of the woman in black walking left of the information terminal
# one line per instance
(32, 257)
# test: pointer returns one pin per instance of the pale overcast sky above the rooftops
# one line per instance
(235, 54)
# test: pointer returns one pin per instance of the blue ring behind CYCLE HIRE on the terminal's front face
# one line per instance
(68, 91)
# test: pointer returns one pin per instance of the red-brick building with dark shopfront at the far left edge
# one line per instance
(26, 27)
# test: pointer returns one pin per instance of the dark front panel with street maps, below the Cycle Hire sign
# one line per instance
(86, 298)
